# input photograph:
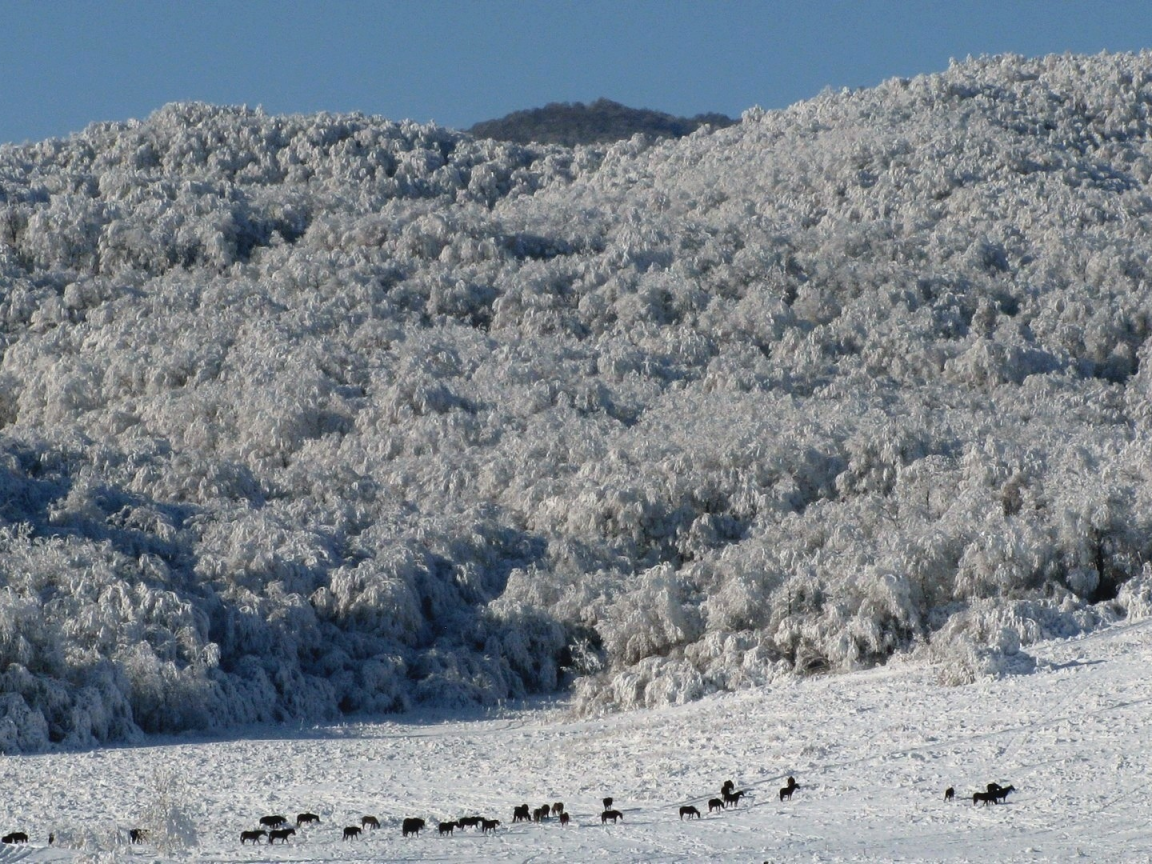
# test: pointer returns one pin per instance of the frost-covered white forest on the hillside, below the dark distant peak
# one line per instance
(309, 416)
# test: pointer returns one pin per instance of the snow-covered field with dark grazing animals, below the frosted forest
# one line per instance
(873, 753)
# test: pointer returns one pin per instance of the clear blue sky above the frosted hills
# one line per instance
(65, 64)
